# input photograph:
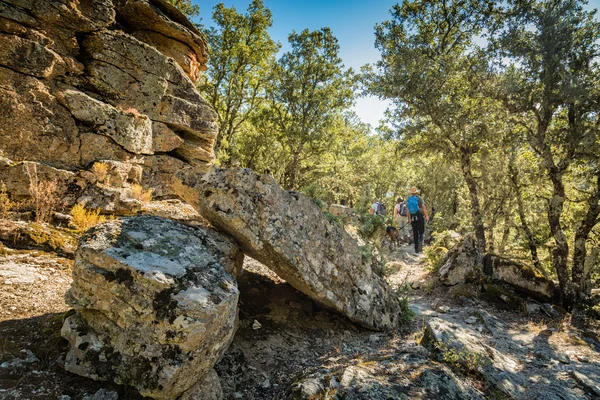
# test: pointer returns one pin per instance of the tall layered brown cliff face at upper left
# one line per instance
(91, 81)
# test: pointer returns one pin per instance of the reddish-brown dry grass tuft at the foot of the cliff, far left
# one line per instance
(44, 195)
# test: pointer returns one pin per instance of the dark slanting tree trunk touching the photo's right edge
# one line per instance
(581, 236)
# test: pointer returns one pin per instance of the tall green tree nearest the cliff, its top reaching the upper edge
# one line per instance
(241, 58)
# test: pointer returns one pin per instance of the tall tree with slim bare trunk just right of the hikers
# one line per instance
(435, 76)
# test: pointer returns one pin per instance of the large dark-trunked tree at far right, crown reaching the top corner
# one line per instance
(551, 88)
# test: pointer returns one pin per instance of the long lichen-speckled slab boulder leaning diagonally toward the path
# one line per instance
(288, 233)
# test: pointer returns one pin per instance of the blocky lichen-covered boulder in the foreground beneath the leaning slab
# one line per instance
(156, 304)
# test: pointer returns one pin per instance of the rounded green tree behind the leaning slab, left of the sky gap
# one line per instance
(309, 88)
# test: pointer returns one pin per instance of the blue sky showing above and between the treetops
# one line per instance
(351, 21)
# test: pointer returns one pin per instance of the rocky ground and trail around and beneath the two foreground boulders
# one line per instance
(289, 347)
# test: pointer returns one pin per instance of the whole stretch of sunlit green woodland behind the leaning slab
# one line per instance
(480, 131)
